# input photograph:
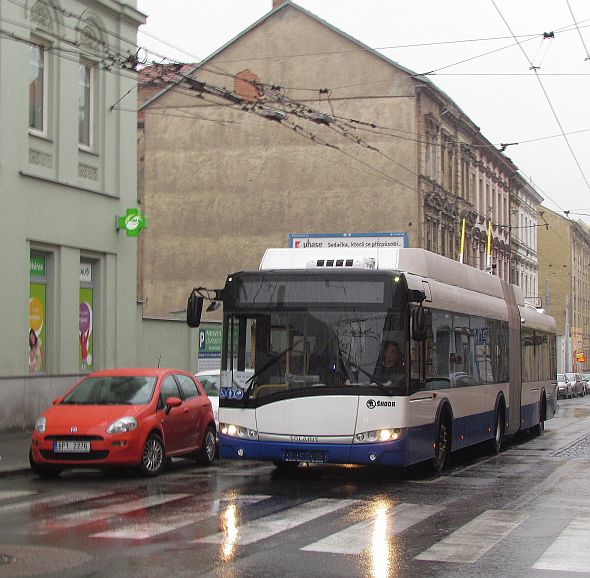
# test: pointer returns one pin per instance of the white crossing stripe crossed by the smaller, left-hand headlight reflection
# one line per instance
(274, 524)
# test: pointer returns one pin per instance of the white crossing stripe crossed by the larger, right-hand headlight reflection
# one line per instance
(380, 526)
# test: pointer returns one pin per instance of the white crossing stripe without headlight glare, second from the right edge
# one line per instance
(470, 542)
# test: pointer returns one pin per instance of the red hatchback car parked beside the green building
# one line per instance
(125, 417)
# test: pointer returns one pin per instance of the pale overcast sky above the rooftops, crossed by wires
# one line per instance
(499, 91)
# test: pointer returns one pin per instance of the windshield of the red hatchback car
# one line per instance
(112, 390)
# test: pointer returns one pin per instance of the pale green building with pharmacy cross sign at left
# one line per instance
(67, 174)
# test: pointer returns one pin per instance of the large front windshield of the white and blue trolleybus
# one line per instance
(318, 352)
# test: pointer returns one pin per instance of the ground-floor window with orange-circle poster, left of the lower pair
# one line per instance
(37, 311)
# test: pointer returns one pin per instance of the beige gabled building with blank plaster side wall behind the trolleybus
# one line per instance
(222, 182)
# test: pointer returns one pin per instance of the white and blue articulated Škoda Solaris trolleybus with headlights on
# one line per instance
(385, 356)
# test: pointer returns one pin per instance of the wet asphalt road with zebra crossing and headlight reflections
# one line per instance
(523, 513)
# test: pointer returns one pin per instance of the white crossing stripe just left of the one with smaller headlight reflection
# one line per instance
(180, 519)
